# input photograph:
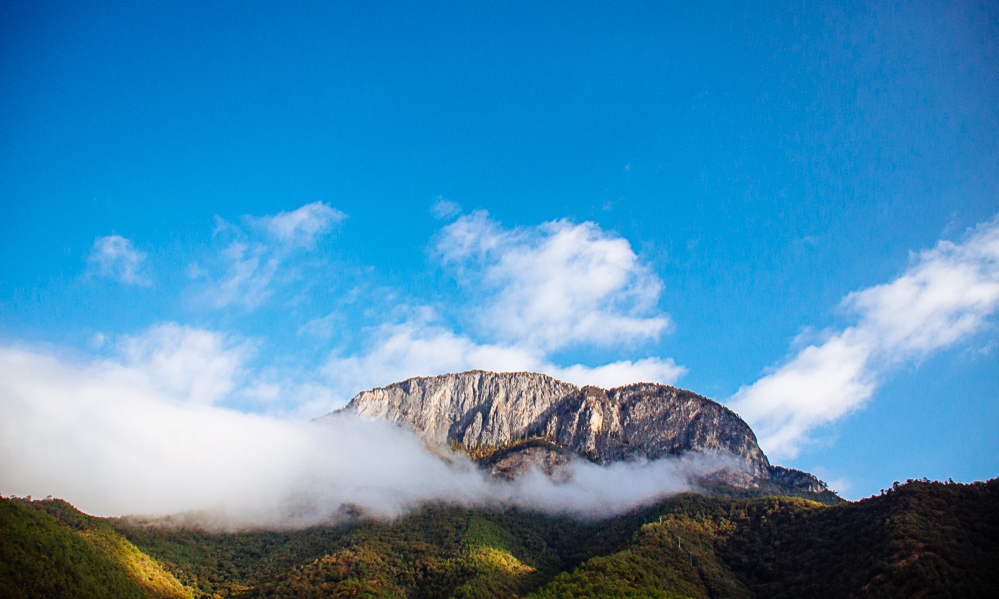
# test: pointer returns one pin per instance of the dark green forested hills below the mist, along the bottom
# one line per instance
(918, 539)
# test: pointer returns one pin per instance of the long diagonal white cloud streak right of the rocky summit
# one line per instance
(945, 295)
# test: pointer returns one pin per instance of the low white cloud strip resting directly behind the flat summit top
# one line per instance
(418, 347)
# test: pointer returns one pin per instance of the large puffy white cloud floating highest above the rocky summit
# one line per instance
(556, 284)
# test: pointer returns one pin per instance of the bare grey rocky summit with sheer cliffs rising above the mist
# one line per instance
(511, 421)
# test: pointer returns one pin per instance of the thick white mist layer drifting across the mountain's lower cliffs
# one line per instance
(110, 440)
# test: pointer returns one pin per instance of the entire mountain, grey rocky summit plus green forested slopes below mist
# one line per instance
(754, 541)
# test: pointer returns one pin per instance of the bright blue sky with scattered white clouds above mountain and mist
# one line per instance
(785, 207)
